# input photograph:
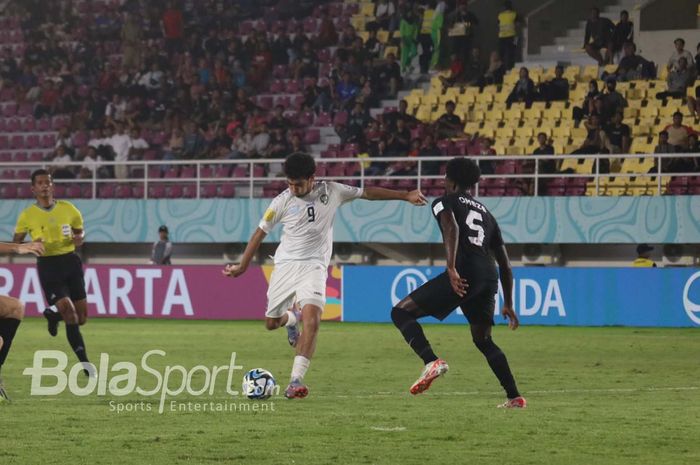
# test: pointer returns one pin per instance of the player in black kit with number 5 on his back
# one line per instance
(472, 239)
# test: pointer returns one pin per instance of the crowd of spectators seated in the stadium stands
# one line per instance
(188, 80)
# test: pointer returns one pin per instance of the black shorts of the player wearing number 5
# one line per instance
(436, 298)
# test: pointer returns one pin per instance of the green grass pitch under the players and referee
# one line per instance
(596, 396)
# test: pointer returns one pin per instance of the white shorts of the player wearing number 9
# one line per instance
(296, 282)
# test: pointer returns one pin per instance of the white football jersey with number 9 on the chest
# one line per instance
(307, 234)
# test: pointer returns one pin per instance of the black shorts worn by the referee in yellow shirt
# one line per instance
(61, 276)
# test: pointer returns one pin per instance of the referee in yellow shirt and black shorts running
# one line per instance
(59, 226)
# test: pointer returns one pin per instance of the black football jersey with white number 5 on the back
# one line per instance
(479, 234)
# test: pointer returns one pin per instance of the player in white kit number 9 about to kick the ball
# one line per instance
(297, 290)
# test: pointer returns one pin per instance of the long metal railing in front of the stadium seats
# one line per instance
(253, 183)
